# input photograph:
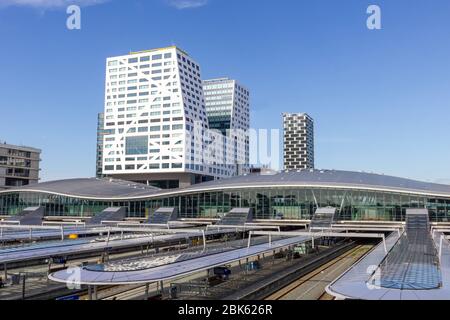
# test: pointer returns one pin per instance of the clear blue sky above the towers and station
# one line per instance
(380, 99)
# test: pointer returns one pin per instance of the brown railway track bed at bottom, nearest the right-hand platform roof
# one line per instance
(311, 286)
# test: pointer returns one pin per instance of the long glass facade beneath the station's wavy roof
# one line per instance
(291, 203)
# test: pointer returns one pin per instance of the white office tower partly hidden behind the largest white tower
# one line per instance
(228, 109)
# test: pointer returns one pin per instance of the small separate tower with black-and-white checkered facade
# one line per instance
(298, 141)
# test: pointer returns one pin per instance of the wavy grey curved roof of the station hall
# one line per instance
(110, 189)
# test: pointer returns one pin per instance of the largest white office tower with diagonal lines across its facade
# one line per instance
(155, 120)
